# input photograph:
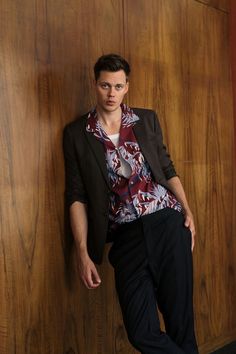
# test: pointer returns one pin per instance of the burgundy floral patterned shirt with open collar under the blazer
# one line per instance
(139, 194)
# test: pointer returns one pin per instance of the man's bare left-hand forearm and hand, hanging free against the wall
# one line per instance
(79, 225)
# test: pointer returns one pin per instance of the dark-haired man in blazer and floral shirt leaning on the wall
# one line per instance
(121, 186)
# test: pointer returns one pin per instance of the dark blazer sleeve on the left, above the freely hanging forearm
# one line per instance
(74, 187)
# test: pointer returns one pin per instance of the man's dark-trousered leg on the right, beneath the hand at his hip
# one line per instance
(170, 260)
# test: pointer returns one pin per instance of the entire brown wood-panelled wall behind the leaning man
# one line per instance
(179, 53)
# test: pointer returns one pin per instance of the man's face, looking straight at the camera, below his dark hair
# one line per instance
(111, 88)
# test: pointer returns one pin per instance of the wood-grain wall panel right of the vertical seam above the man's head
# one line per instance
(180, 61)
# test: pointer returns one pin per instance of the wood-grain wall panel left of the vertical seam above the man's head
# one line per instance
(47, 51)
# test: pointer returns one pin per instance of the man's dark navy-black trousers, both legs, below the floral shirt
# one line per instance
(152, 261)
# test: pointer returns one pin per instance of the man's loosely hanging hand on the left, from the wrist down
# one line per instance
(88, 271)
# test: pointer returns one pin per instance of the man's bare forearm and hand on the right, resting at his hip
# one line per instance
(176, 188)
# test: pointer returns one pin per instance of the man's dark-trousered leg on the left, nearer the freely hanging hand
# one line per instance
(136, 292)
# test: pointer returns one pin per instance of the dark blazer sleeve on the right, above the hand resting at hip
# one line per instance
(164, 157)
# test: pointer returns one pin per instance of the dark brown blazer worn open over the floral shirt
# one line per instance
(86, 172)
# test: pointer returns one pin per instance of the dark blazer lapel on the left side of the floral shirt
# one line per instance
(98, 151)
